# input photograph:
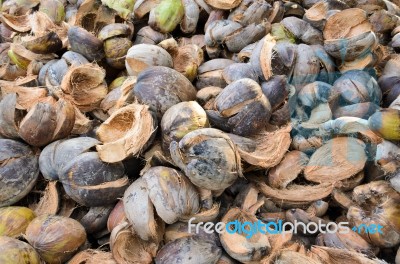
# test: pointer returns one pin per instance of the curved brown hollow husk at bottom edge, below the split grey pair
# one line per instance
(127, 247)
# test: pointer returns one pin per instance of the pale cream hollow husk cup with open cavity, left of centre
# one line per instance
(126, 133)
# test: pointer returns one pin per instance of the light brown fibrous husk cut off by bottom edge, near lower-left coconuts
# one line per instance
(93, 256)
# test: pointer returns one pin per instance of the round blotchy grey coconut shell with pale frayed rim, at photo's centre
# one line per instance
(207, 156)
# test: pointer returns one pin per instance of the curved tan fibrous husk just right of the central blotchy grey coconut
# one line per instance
(271, 147)
